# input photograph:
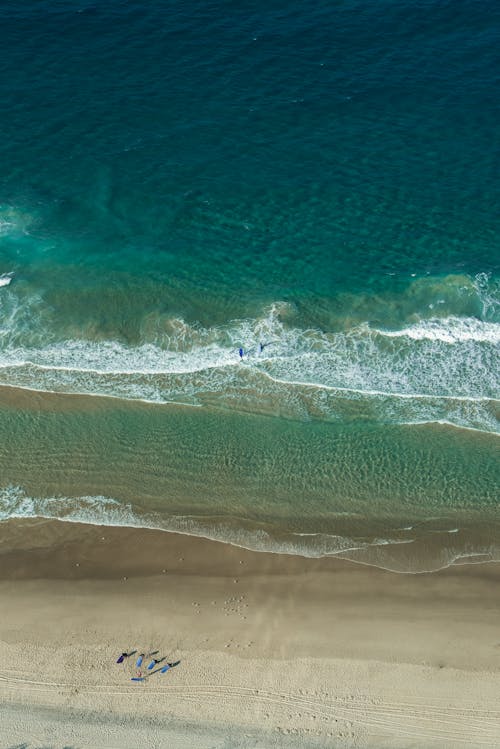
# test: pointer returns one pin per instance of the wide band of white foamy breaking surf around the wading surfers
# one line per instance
(438, 369)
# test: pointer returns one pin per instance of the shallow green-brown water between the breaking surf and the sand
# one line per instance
(393, 497)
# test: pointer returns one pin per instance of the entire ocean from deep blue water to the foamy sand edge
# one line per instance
(314, 183)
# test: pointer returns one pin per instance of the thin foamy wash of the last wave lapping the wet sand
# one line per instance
(395, 554)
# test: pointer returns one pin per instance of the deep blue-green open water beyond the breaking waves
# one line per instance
(352, 139)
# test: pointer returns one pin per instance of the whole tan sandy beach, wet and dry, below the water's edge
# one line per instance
(274, 650)
